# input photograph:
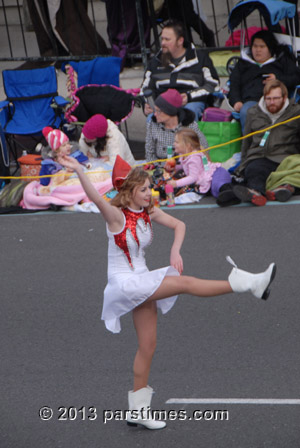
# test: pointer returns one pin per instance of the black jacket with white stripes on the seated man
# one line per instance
(195, 75)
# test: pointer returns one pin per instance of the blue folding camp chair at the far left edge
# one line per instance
(27, 108)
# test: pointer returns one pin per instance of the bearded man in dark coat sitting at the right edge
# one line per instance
(263, 152)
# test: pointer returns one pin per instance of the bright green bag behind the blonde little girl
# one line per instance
(217, 132)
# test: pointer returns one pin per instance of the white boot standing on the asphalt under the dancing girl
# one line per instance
(139, 409)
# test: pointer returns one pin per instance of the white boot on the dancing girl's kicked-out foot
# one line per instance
(258, 284)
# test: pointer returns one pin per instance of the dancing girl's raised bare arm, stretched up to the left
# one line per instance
(112, 215)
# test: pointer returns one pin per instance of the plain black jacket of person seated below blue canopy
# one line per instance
(246, 81)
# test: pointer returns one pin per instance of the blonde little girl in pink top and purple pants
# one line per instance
(198, 170)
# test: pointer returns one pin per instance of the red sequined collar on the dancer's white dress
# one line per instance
(131, 218)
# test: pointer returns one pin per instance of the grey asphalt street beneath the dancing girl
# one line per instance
(225, 351)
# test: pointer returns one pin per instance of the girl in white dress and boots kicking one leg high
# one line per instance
(132, 287)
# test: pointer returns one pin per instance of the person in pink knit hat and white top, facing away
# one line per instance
(100, 137)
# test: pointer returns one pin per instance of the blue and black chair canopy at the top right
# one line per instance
(272, 11)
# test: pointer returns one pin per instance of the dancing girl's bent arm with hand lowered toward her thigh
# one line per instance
(179, 232)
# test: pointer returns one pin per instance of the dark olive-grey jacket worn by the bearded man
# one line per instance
(283, 140)
